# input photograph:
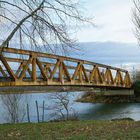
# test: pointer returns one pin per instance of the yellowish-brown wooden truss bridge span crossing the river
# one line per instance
(29, 68)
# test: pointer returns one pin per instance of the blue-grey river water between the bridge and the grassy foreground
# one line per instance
(85, 111)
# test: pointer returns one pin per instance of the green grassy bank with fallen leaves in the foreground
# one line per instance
(72, 130)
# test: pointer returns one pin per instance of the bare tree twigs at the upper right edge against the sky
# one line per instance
(136, 18)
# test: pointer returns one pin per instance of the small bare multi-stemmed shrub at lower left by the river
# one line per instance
(15, 107)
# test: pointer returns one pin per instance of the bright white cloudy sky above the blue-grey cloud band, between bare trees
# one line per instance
(112, 19)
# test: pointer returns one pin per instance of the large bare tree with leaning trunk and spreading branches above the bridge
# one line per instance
(39, 22)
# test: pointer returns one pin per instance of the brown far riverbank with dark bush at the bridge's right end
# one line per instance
(100, 97)
